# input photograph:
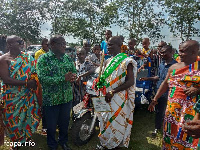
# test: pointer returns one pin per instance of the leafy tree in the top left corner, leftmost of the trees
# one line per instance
(22, 18)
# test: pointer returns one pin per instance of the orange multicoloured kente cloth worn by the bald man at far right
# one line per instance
(180, 108)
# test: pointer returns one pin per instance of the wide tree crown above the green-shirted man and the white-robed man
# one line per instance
(81, 19)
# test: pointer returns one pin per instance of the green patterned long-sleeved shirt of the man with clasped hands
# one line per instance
(51, 72)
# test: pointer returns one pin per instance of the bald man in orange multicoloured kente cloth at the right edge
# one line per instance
(183, 81)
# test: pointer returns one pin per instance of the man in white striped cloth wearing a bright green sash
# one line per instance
(118, 84)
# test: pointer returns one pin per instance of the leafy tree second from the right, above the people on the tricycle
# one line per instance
(139, 19)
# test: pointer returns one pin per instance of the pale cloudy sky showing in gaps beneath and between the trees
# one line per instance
(169, 38)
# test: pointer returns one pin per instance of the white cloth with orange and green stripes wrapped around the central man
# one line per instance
(115, 126)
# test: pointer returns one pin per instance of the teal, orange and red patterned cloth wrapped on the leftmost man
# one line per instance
(20, 107)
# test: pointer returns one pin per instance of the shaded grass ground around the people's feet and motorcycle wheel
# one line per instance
(141, 138)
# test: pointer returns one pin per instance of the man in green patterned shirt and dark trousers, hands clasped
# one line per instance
(56, 71)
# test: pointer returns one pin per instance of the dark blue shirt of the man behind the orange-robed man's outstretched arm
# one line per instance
(162, 73)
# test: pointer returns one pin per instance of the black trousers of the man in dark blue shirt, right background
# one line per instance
(160, 112)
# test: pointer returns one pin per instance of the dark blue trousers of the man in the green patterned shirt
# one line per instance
(57, 115)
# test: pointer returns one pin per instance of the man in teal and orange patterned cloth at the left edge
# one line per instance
(20, 104)
